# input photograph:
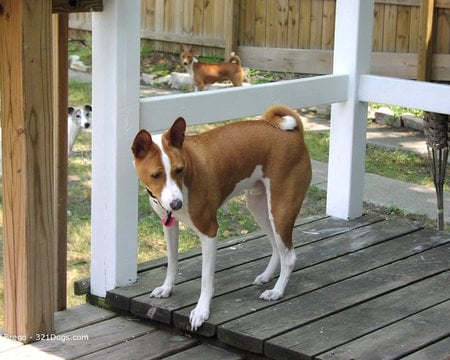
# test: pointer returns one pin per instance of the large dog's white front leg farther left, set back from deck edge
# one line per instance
(171, 235)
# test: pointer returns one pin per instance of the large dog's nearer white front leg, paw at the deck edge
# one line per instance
(201, 312)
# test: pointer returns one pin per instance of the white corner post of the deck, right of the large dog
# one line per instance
(352, 50)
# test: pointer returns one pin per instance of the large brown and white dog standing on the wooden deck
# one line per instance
(189, 177)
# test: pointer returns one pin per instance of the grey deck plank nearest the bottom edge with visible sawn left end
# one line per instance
(330, 332)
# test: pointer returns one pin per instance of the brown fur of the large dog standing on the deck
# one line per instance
(215, 161)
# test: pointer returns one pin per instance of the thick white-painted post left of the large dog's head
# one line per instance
(116, 63)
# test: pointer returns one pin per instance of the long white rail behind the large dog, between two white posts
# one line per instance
(158, 113)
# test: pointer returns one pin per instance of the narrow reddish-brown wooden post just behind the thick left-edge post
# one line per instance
(60, 103)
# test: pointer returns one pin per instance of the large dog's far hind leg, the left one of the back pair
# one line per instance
(257, 204)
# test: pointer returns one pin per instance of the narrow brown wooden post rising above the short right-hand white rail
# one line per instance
(425, 50)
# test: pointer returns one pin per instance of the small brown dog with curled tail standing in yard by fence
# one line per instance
(203, 74)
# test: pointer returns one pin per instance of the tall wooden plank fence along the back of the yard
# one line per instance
(294, 35)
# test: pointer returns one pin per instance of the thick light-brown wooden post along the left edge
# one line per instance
(27, 145)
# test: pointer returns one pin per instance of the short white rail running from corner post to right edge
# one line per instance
(408, 93)
